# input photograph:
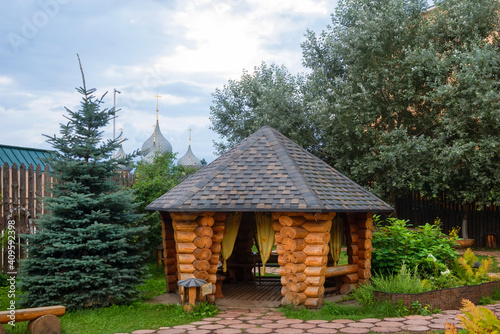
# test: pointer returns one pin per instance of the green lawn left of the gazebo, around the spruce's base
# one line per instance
(123, 318)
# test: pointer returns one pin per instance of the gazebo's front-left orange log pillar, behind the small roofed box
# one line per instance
(198, 238)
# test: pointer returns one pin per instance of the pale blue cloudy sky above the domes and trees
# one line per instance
(181, 50)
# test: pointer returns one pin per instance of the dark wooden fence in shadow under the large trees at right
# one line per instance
(483, 220)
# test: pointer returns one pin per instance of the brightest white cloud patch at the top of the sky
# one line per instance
(223, 40)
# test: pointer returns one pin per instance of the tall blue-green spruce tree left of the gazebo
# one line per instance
(85, 254)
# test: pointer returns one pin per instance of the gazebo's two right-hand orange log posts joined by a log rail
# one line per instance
(303, 246)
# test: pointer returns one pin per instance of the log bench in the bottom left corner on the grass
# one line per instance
(41, 319)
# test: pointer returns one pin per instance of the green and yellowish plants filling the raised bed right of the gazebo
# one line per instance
(417, 260)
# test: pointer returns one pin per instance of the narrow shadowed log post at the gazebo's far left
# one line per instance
(169, 253)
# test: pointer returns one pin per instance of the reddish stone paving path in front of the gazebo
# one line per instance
(235, 321)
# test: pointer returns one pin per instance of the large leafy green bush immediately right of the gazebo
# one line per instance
(425, 246)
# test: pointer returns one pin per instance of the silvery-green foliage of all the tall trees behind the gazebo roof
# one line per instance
(400, 98)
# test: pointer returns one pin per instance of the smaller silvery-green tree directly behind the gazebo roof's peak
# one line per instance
(268, 96)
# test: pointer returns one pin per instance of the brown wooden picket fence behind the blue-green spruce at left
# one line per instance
(22, 190)
